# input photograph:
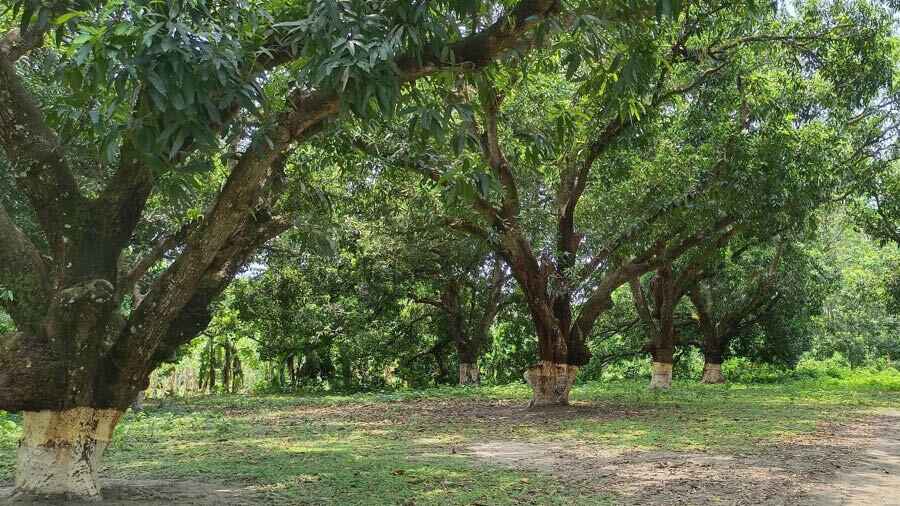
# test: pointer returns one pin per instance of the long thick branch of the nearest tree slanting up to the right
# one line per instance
(307, 110)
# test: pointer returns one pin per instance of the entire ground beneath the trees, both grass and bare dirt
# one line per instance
(815, 441)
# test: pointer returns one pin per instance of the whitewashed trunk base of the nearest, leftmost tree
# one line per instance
(60, 451)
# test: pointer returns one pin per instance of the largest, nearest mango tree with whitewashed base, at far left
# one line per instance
(142, 94)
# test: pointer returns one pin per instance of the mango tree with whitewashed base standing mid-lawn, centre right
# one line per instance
(640, 145)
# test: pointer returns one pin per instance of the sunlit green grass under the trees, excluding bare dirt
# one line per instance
(399, 448)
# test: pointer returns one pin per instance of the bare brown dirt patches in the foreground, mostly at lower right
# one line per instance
(842, 464)
